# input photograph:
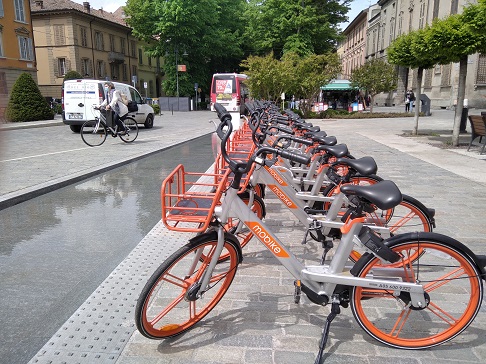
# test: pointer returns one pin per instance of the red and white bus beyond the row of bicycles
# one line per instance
(229, 90)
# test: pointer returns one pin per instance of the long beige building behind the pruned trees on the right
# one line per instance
(389, 19)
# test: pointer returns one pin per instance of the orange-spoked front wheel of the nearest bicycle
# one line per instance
(162, 310)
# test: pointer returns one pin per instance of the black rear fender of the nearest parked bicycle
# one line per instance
(479, 261)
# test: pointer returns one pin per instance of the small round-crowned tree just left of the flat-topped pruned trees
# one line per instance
(374, 76)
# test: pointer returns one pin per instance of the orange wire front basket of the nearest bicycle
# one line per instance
(188, 199)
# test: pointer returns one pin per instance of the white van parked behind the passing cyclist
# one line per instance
(79, 96)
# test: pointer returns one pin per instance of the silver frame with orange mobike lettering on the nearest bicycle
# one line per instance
(321, 279)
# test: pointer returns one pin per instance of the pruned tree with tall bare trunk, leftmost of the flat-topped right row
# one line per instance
(411, 50)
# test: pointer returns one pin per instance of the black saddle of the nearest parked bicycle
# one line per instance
(385, 194)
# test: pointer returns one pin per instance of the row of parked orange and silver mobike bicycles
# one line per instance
(407, 287)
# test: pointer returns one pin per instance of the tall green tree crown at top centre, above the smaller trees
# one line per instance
(300, 26)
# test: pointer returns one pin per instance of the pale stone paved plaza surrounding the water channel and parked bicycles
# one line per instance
(257, 321)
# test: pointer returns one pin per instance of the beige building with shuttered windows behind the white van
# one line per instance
(96, 43)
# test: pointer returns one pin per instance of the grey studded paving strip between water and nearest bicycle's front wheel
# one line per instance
(99, 330)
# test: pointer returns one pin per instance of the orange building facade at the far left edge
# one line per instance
(16, 46)
